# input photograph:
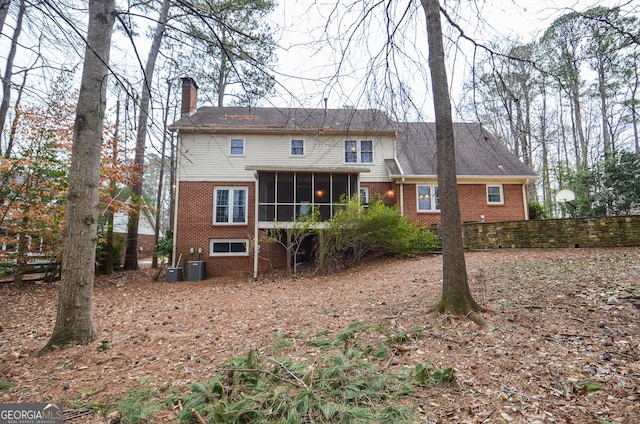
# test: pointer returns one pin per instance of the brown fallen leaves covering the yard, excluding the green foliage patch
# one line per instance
(562, 344)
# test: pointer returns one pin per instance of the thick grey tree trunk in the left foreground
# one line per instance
(74, 319)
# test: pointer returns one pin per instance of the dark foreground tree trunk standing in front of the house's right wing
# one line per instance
(456, 295)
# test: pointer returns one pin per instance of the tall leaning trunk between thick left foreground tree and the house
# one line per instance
(131, 253)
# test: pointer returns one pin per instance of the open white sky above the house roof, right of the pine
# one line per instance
(314, 36)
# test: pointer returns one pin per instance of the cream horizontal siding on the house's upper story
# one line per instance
(205, 157)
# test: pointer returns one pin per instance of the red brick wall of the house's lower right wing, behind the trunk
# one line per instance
(473, 204)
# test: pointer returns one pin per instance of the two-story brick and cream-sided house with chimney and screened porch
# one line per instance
(240, 170)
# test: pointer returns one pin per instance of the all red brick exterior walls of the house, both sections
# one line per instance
(195, 227)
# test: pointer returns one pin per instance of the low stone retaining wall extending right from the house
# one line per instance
(549, 233)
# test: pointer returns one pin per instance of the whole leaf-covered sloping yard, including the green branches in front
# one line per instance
(562, 344)
